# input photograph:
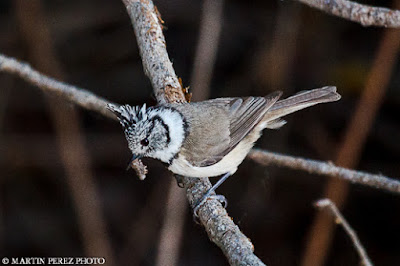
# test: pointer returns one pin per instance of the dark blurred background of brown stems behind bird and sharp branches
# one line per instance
(64, 190)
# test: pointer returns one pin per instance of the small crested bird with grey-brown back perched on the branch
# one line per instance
(209, 138)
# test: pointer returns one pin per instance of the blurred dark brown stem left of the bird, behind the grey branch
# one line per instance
(72, 147)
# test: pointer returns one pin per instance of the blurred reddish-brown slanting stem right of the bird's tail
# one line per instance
(349, 152)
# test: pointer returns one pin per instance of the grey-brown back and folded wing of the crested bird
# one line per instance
(217, 134)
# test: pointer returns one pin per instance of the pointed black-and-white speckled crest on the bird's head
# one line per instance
(129, 116)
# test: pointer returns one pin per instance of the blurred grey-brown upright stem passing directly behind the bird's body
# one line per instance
(175, 208)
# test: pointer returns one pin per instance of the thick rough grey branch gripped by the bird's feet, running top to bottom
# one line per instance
(146, 22)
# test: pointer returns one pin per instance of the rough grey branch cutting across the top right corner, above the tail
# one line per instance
(364, 14)
